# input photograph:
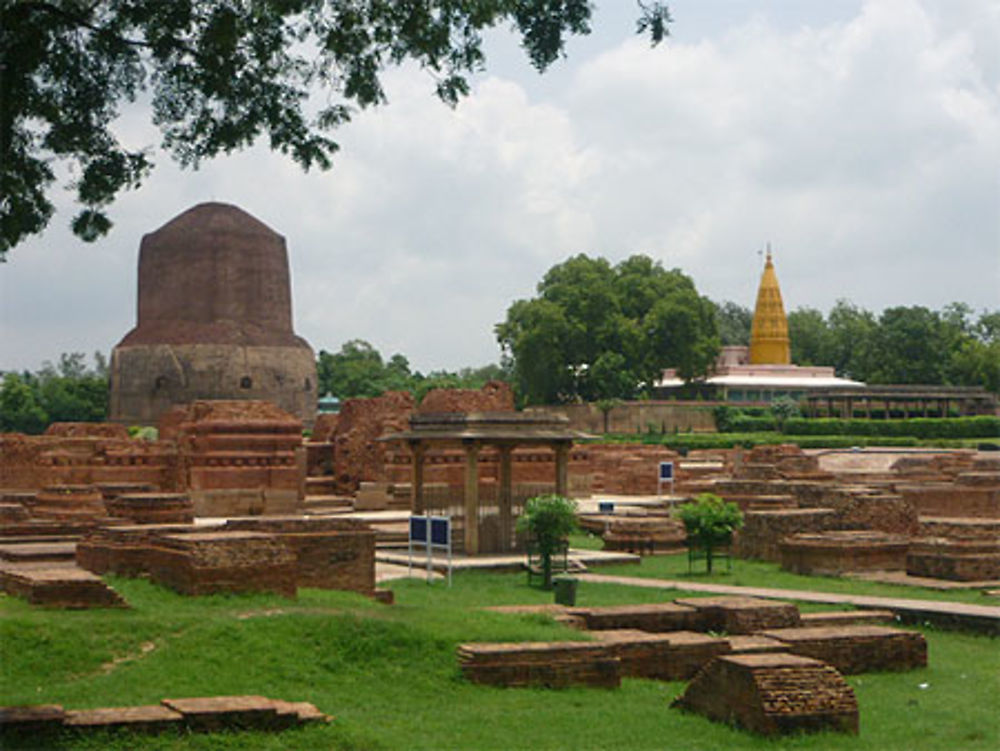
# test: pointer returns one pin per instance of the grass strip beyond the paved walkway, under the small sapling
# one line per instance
(762, 574)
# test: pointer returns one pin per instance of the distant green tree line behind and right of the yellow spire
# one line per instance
(914, 344)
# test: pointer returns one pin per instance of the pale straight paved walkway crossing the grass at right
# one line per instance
(985, 618)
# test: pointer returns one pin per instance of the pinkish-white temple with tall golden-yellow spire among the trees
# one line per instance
(763, 371)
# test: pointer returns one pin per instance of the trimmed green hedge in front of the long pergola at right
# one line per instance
(984, 426)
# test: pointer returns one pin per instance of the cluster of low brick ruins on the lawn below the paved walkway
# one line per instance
(768, 679)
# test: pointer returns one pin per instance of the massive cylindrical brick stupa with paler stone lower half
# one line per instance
(214, 320)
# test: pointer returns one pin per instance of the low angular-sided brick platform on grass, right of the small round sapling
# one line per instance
(838, 552)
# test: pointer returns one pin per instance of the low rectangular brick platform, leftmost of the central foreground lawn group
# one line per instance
(545, 664)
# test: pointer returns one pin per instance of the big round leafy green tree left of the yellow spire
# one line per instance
(598, 331)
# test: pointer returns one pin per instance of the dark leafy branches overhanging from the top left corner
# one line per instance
(221, 75)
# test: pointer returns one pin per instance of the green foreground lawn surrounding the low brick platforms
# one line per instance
(389, 675)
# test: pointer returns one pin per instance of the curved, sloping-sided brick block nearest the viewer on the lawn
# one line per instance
(773, 694)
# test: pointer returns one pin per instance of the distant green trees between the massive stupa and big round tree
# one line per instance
(359, 370)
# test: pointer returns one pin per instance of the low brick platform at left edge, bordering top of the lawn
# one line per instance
(58, 586)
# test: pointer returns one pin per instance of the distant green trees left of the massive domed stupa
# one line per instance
(68, 391)
